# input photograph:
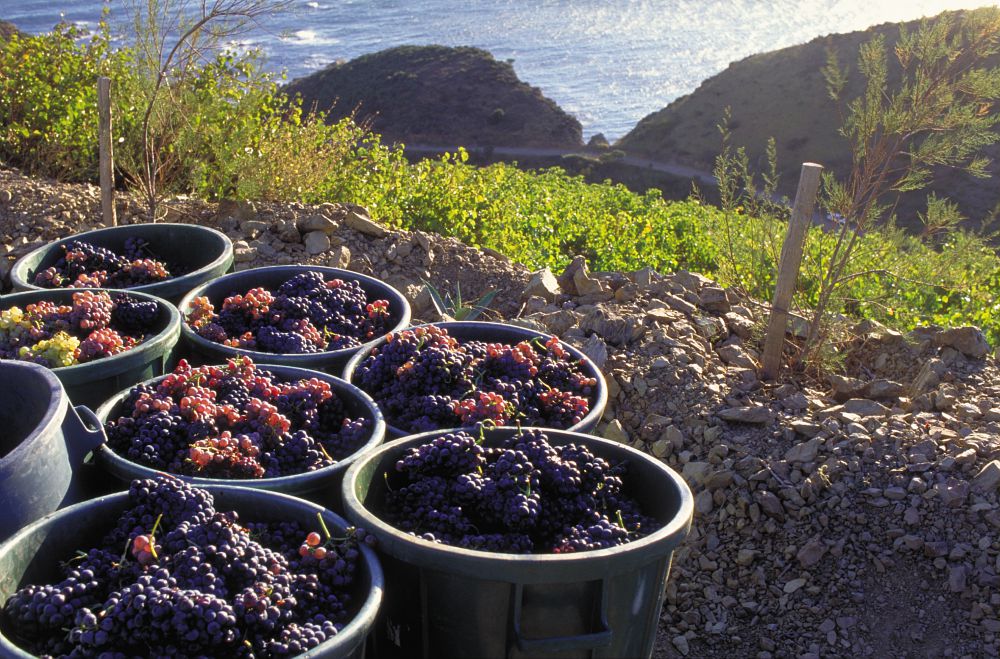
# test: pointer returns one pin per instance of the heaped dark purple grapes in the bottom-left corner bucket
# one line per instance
(176, 577)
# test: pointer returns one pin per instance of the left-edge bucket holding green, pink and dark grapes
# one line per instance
(96, 341)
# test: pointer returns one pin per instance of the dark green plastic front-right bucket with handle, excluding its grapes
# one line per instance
(444, 601)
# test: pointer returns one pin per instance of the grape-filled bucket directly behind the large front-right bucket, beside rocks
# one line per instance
(446, 375)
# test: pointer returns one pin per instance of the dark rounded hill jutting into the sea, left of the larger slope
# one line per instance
(440, 95)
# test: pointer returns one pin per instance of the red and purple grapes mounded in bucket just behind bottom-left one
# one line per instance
(235, 421)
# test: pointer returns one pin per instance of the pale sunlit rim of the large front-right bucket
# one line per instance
(556, 567)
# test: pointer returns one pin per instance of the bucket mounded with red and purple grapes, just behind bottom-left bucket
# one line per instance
(276, 428)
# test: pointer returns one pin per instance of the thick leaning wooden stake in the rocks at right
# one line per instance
(788, 269)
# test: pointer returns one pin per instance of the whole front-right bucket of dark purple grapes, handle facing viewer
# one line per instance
(564, 539)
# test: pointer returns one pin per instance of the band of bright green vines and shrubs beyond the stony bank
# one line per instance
(233, 137)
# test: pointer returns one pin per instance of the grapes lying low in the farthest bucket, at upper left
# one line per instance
(83, 265)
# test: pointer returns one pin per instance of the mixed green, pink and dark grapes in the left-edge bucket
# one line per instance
(92, 327)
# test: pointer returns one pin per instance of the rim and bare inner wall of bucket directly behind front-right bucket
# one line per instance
(508, 334)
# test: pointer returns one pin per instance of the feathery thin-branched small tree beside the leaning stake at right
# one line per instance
(940, 114)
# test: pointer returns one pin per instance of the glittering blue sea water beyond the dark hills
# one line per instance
(608, 62)
